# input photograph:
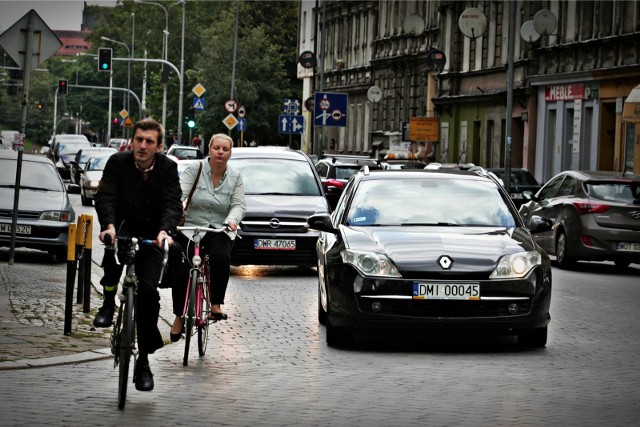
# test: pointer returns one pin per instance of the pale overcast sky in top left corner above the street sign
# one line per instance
(58, 14)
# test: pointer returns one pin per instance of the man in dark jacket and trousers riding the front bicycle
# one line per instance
(140, 190)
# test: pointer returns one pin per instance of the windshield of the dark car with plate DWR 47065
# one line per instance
(277, 176)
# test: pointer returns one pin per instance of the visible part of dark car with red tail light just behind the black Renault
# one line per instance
(335, 171)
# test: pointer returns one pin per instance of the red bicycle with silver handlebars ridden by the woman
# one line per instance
(197, 306)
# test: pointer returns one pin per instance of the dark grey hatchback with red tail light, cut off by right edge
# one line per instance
(595, 217)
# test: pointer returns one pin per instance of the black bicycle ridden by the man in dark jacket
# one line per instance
(123, 337)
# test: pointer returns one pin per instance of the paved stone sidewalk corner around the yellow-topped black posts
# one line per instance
(32, 315)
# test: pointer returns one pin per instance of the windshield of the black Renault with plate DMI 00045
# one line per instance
(427, 201)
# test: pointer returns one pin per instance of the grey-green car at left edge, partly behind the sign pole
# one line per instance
(44, 211)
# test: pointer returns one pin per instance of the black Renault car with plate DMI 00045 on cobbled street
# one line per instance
(401, 252)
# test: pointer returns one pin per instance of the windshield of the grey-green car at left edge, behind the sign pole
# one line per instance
(35, 176)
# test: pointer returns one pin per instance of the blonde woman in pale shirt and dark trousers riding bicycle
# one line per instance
(217, 200)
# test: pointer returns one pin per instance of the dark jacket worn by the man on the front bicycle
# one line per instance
(147, 206)
